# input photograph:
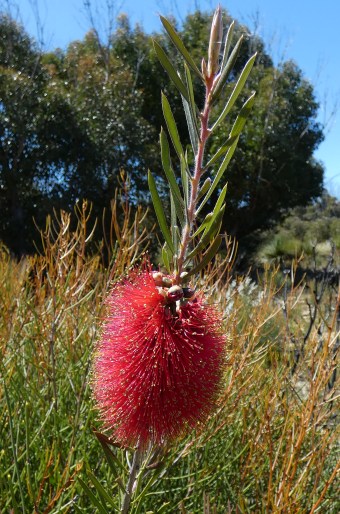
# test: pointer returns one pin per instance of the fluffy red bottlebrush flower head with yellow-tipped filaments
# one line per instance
(156, 371)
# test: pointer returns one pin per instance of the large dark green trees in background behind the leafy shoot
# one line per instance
(70, 121)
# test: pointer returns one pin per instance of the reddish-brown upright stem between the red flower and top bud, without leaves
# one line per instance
(195, 180)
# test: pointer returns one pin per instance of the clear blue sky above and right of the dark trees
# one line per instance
(304, 30)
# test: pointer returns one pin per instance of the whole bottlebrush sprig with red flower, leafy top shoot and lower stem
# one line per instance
(159, 364)
